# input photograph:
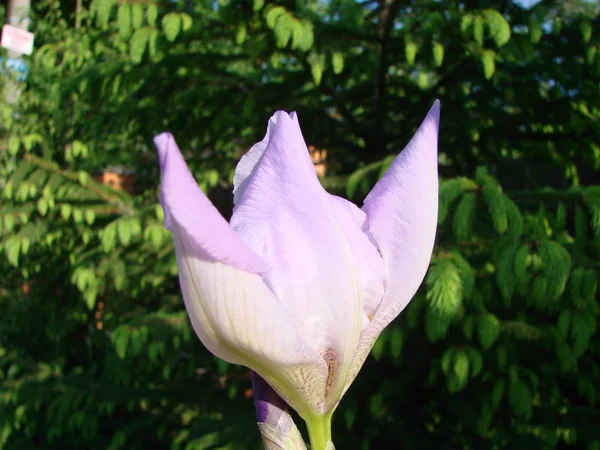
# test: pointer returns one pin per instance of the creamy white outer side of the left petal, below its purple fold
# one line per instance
(238, 319)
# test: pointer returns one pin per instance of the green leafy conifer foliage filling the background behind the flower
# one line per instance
(500, 348)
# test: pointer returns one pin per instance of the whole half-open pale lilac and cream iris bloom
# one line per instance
(300, 283)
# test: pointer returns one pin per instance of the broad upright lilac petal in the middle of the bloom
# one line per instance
(287, 218)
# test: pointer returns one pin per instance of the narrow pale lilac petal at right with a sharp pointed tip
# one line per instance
(402, 210)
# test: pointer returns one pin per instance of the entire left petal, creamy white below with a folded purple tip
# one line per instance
(233, 311)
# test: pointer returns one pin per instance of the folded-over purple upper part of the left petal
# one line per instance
(184, 202)
